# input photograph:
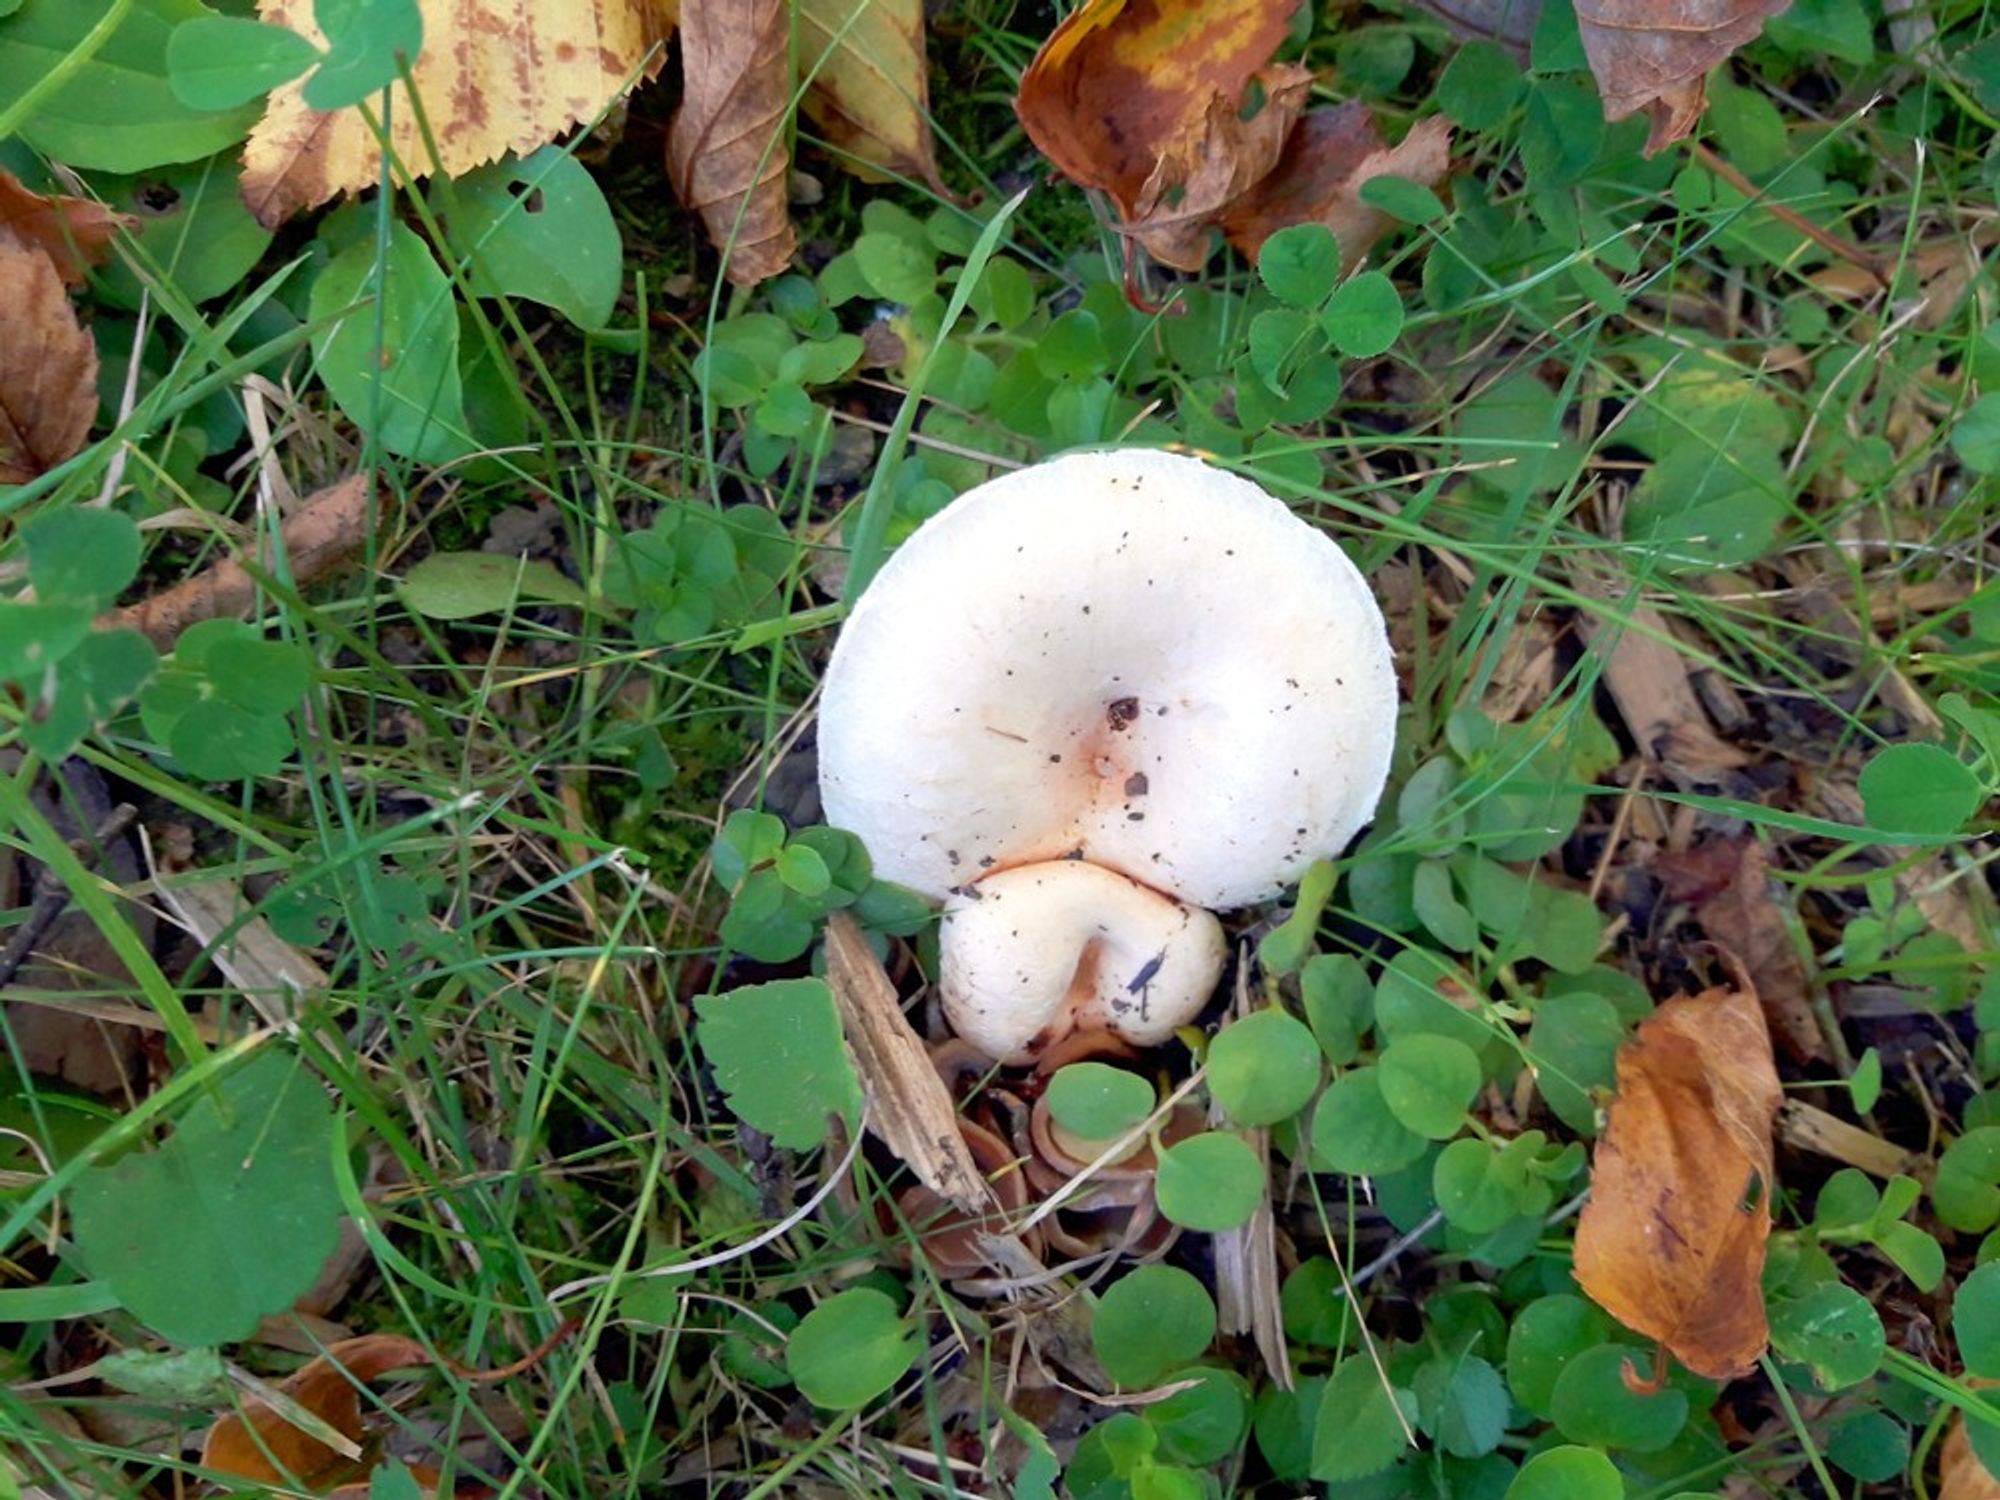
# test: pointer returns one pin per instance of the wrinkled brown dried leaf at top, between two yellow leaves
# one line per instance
(727, 153)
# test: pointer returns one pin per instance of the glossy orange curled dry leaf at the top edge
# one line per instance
(1143, 101)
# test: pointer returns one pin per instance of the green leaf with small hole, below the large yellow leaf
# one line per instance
(539, 229)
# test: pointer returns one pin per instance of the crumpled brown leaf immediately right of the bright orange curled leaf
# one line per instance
(1321, 179)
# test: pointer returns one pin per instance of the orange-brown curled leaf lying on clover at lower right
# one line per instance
(1673, 1237)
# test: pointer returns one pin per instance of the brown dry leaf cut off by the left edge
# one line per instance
(49, 367)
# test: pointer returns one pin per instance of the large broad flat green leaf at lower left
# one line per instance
(227, 1223)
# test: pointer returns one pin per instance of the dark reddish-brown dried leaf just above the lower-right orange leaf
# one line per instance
(1735, 903)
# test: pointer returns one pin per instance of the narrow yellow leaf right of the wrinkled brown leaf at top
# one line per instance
(867, 89)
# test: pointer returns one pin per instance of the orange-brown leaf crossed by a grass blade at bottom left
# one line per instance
(263, 1447)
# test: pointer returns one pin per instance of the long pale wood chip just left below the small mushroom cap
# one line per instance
(909, 1107)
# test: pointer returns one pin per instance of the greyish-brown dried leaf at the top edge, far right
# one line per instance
(1655, 55)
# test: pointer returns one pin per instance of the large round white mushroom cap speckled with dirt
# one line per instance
(1127, 657)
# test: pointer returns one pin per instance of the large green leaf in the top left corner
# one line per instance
(117, 113)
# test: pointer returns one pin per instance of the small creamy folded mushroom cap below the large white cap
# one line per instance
(1041, 951)
